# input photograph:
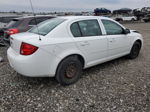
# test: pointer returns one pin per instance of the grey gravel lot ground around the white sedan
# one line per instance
(121, 85)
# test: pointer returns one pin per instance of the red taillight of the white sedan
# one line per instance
(27, 49)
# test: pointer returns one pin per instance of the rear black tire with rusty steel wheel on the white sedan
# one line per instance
(69, 71)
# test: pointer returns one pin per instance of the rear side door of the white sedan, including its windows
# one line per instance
(89, 40)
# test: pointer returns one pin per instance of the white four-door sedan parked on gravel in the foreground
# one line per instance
(62, 47)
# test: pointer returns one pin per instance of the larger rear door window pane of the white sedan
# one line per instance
(90, 28)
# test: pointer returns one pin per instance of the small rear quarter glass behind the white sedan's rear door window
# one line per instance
(75, 30)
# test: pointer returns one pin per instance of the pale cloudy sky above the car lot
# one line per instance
(70, 5)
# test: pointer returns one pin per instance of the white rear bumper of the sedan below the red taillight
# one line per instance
(36, 65)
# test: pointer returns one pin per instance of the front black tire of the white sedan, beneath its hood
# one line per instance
(134, 53)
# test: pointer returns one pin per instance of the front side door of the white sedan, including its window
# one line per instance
(118, 42)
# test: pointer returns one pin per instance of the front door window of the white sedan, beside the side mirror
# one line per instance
(112, 28)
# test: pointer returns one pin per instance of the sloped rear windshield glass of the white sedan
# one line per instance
(47, 26)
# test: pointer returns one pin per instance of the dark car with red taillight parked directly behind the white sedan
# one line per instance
(22, 24)
